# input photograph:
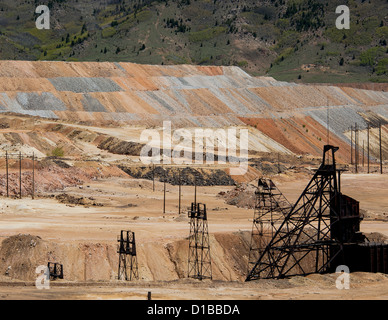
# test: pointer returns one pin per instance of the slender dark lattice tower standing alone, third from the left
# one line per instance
(199, 261)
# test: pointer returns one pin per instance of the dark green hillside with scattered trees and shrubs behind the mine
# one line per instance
(278, 38)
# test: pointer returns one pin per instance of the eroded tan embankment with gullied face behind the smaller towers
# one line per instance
(20, 255)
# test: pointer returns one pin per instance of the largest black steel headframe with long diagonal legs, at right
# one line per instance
(310, 237)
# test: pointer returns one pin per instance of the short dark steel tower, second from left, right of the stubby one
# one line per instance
(128, 258)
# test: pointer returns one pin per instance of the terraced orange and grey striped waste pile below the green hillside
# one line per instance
(282, 117)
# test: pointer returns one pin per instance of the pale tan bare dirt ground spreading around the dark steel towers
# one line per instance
(83, 237)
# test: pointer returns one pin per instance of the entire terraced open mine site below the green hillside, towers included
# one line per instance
(83, 216)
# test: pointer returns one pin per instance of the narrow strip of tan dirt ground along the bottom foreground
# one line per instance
(363, 286)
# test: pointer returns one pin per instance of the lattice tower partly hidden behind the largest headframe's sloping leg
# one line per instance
(270, 209)
